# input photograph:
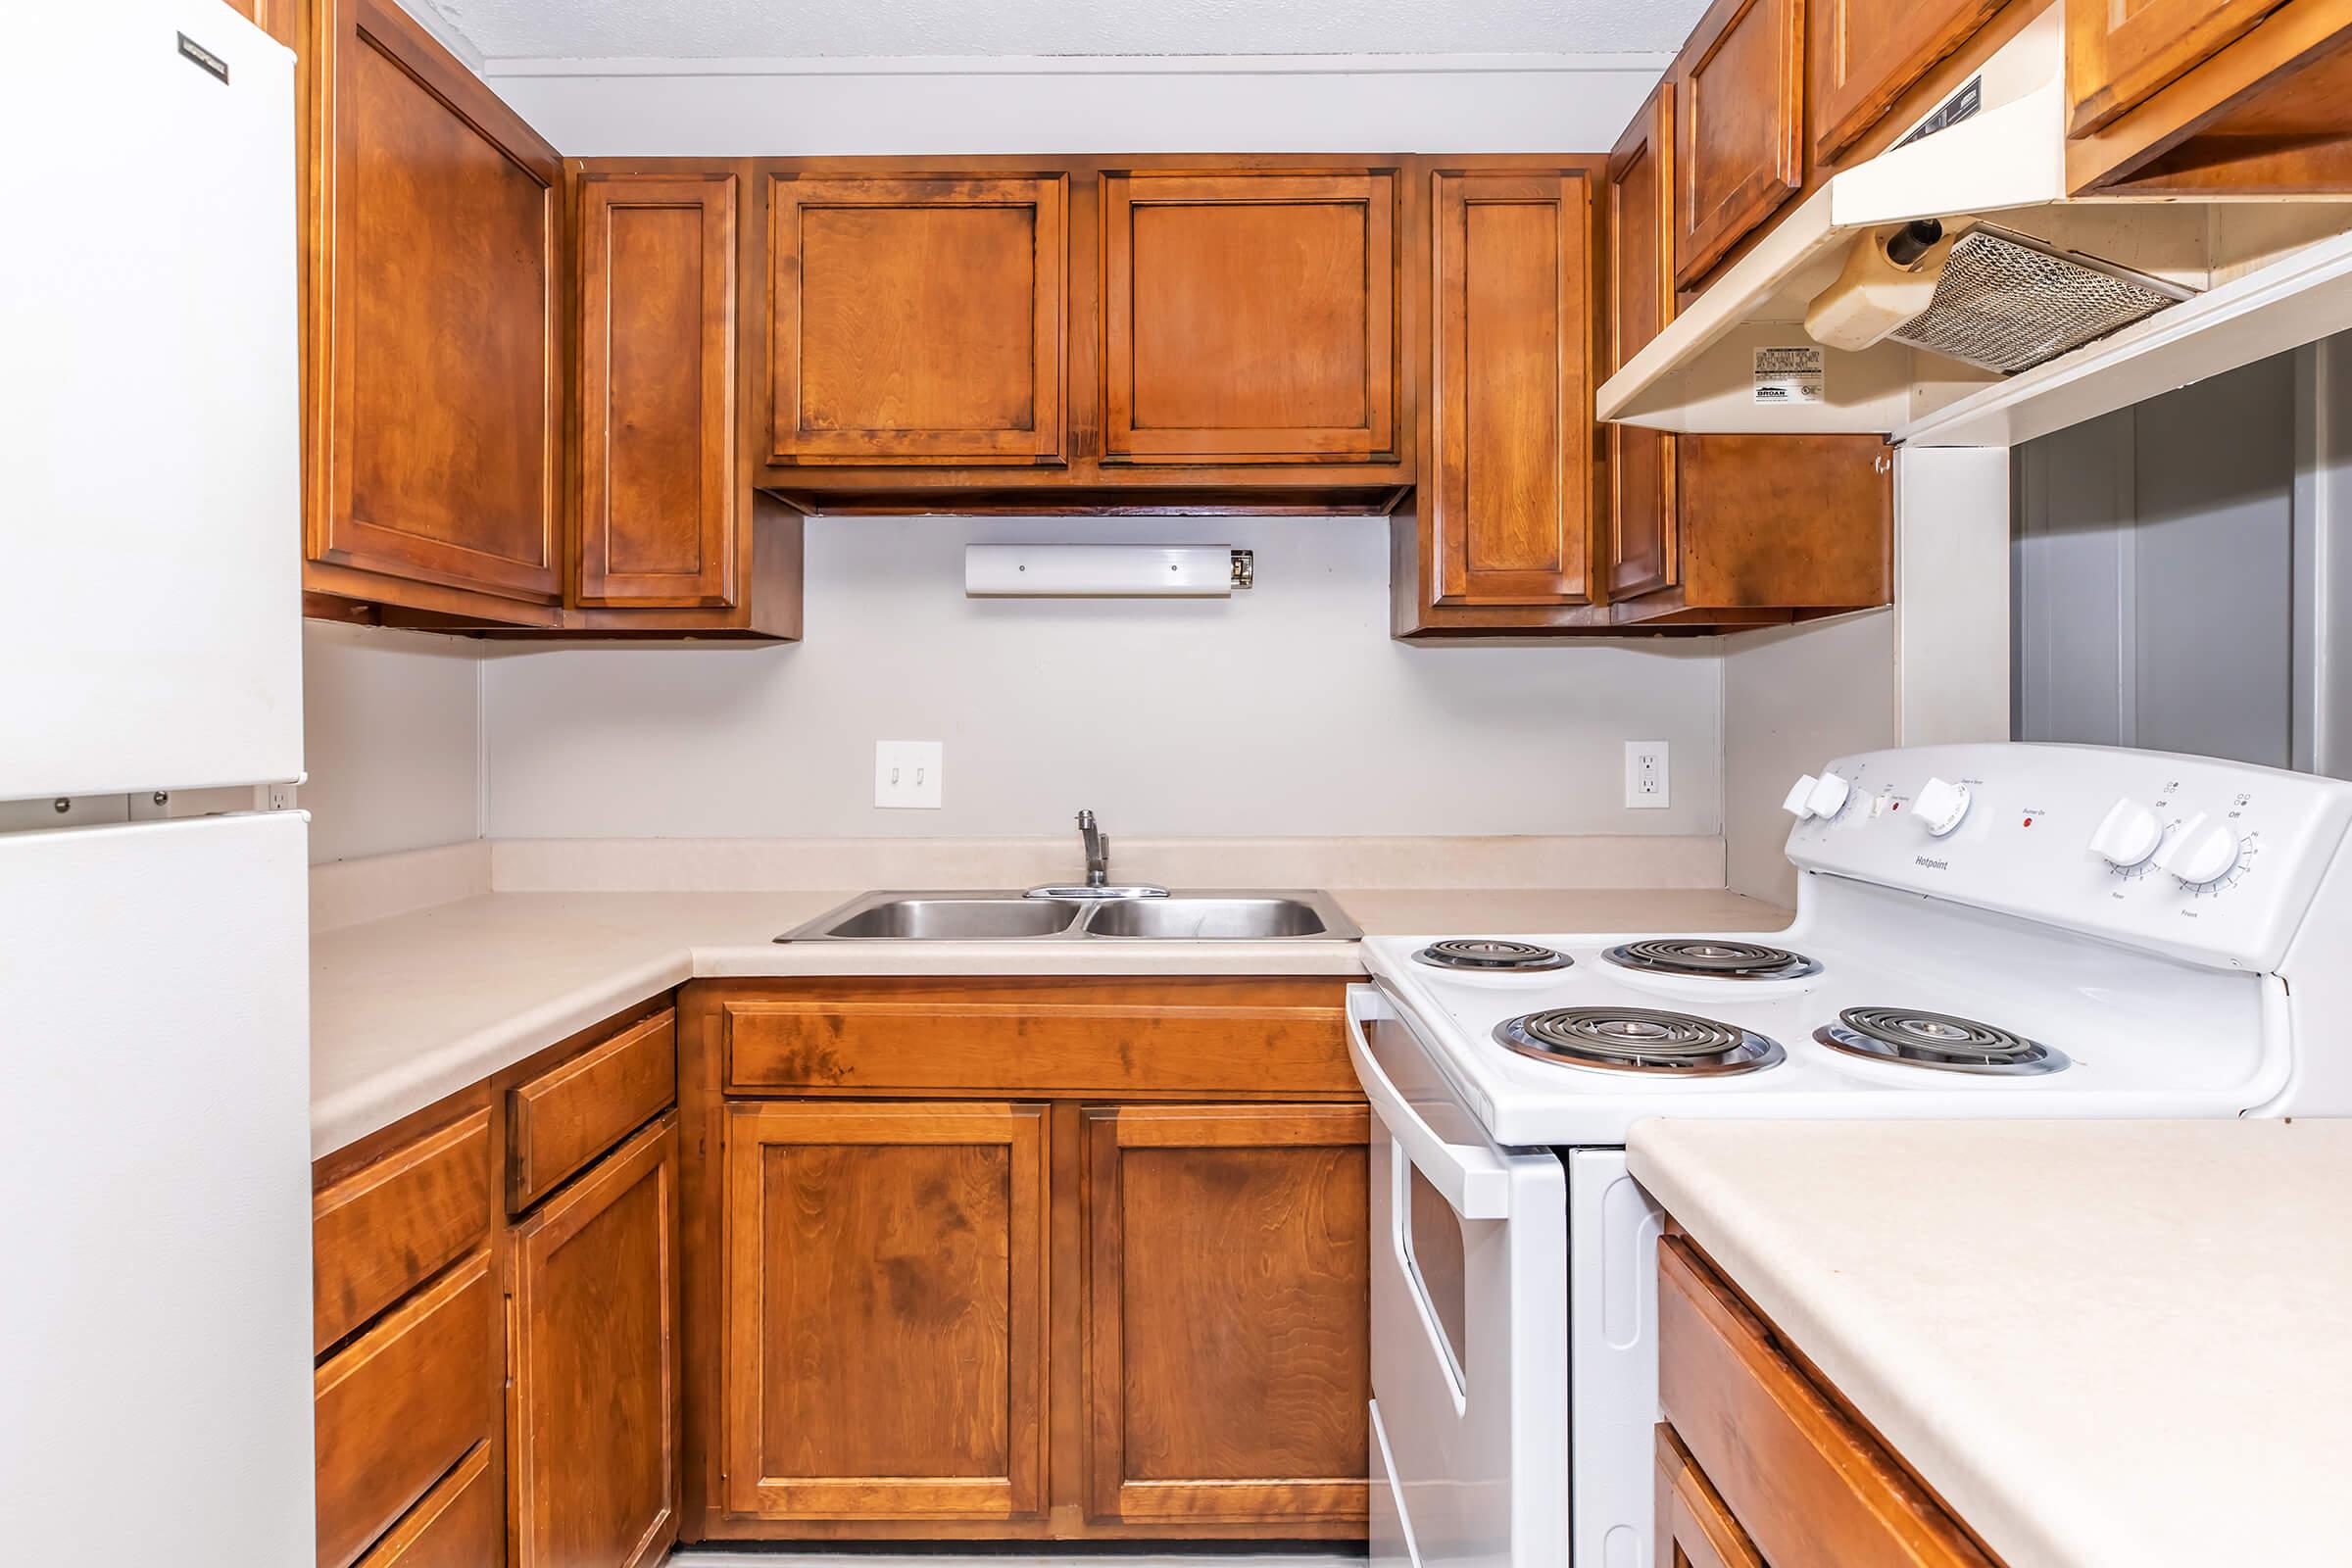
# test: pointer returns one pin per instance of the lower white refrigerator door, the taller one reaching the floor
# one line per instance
(156, 1195)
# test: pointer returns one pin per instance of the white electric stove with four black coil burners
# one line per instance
(1982, 932)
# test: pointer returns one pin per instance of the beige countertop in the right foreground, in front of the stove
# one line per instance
(2099, 1341)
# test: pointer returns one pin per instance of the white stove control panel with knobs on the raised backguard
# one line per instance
(2212, 862)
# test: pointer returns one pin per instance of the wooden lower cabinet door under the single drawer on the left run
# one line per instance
(594, 1362)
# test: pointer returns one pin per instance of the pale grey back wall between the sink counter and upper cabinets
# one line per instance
(1285, 711)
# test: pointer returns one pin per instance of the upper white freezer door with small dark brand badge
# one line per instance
(149, 415)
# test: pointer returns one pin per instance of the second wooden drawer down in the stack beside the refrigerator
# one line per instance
(403, 1405)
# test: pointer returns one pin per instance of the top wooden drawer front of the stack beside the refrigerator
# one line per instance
(392, 1226)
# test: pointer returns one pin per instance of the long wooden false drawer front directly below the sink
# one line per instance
(1274, 1038)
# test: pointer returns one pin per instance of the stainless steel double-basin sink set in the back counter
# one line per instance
(1022, 918)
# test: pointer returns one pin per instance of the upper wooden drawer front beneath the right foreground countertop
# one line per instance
(1800, 1475)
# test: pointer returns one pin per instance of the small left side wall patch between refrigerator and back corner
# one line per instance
(392, 739)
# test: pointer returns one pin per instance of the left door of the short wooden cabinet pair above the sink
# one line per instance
(918, 319)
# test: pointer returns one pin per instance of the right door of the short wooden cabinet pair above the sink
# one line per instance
(1250, 316)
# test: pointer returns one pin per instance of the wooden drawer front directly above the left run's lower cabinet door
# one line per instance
(577, 1111)
